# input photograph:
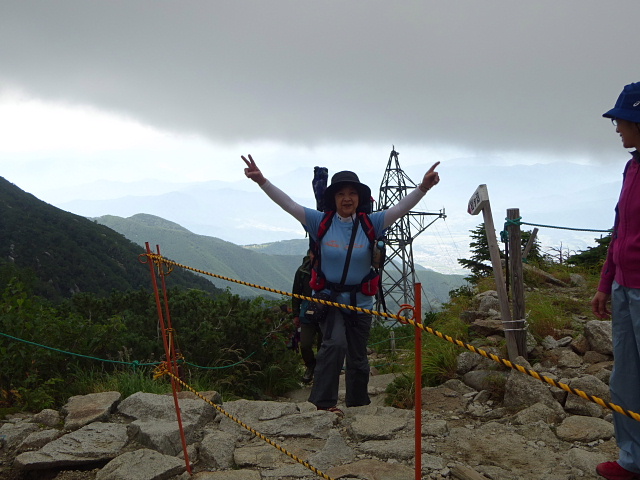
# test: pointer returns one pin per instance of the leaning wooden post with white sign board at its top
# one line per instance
(479, 202)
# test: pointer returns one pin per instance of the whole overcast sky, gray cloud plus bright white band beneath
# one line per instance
(178, 90)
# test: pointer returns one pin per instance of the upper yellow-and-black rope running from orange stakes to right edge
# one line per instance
(507, 363)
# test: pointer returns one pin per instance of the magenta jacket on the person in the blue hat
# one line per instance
(623, 257)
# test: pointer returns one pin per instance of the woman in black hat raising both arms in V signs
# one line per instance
(345, 256)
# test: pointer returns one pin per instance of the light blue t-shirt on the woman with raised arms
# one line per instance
(334, 247)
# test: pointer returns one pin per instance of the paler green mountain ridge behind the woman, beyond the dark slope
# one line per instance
(271, 265)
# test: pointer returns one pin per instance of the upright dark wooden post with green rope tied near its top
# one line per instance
(517, 282)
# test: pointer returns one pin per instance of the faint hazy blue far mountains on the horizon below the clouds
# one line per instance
(237, 211)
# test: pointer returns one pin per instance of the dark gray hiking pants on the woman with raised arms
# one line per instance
(344, 335)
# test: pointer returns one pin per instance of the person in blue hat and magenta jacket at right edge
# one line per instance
(620, 284)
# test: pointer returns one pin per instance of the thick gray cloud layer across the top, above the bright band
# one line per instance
(487, 76)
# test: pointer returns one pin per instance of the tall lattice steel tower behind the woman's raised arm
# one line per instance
(399, 276)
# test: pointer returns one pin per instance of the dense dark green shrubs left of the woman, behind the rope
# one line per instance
(89, 344)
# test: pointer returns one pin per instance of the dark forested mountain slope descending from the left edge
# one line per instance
(59, 254)
